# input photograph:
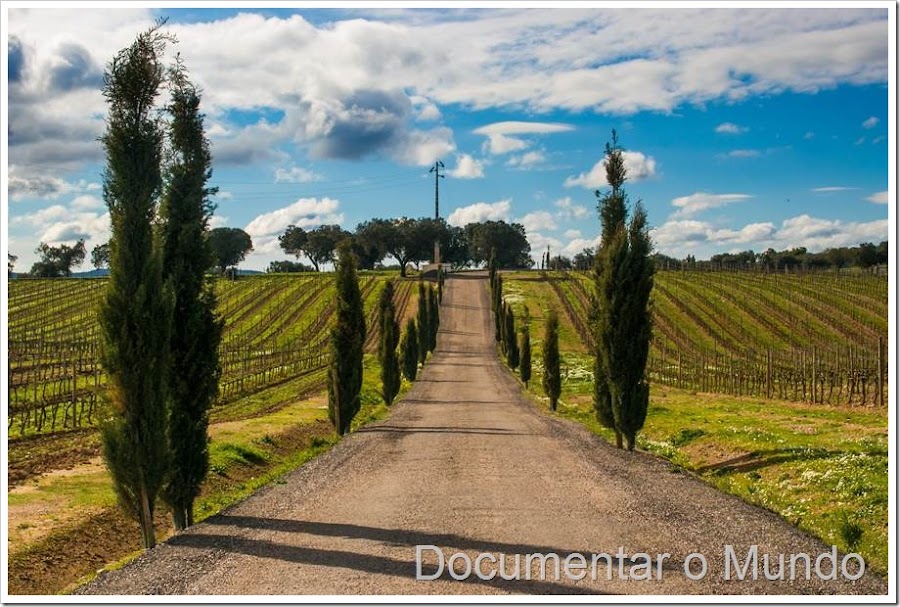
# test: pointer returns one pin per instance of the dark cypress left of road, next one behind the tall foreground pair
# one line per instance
(345, 371)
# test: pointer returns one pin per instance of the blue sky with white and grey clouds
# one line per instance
(744, 128)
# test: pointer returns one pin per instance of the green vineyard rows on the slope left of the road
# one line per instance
(276, 329)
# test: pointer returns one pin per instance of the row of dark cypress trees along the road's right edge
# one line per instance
(619, 315)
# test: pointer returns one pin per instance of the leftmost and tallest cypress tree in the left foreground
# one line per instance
(136, 315)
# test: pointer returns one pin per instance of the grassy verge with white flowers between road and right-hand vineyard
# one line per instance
(823, 468)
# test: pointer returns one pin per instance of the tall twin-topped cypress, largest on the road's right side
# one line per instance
(623, 275)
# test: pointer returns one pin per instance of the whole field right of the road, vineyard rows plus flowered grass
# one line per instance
(823, 467)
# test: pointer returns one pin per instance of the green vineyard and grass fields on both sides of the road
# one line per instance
(767, 386)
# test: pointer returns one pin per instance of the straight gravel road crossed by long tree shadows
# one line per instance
(466, 464)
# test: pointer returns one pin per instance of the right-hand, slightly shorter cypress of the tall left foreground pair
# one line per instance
(196, 332)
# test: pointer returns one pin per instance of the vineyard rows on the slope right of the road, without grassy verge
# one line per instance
(818, 338)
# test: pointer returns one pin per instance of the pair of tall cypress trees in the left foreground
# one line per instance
(160, 335)
